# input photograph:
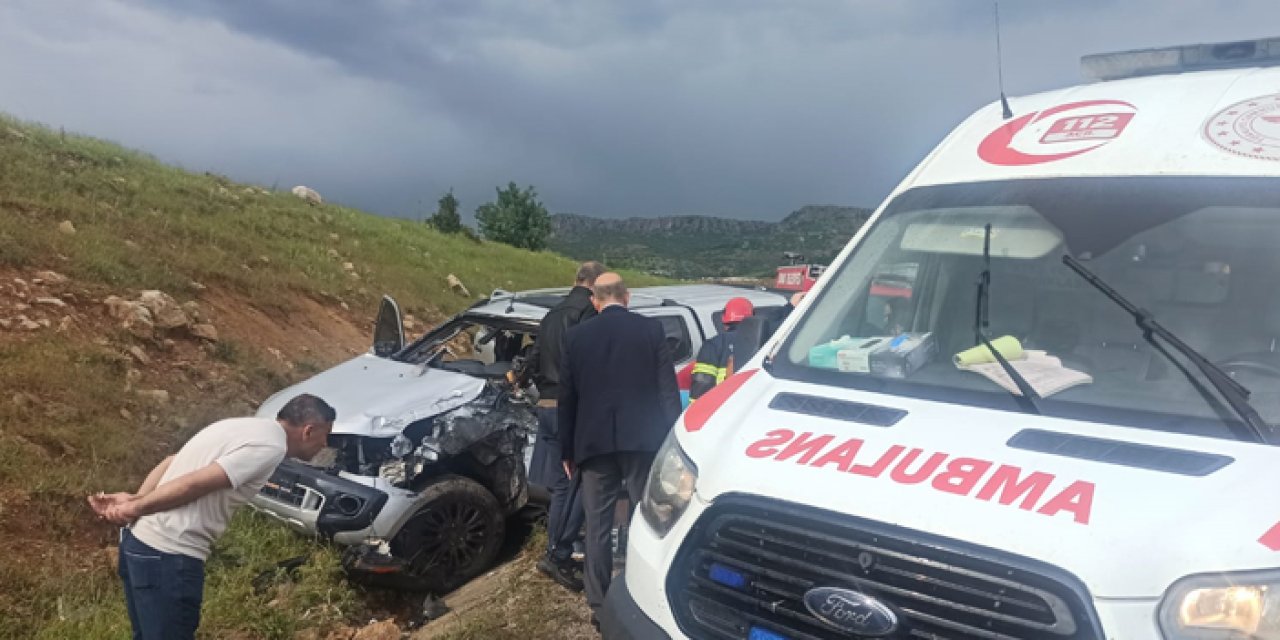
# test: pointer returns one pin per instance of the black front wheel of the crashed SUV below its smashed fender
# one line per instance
(454, 537)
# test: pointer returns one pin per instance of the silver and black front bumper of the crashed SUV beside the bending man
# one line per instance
(312, 501)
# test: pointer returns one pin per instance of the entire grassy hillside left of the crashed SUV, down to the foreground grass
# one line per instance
(141, 226)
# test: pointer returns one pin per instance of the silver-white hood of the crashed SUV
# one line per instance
(380, 397)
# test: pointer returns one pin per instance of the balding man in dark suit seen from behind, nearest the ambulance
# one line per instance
(619, 400)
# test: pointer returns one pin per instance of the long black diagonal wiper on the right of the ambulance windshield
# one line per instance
(1236, 394)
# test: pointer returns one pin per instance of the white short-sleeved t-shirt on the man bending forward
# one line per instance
(249, 450)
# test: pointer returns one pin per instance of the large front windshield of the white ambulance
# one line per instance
(1199, 254)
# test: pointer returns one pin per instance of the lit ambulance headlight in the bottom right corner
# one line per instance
(1227, 607)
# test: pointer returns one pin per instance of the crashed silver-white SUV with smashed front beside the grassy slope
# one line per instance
(433, 441)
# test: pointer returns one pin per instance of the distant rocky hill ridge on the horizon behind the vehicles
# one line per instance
(707, 248)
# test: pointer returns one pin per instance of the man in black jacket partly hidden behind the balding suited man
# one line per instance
(565, 514)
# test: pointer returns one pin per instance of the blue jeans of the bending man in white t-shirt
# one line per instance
(163, 591)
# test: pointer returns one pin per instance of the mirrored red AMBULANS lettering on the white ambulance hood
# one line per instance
(982, 479)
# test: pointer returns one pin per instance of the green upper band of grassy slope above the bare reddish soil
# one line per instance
(209, 230)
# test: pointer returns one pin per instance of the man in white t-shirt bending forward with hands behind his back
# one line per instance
(186, 502)
